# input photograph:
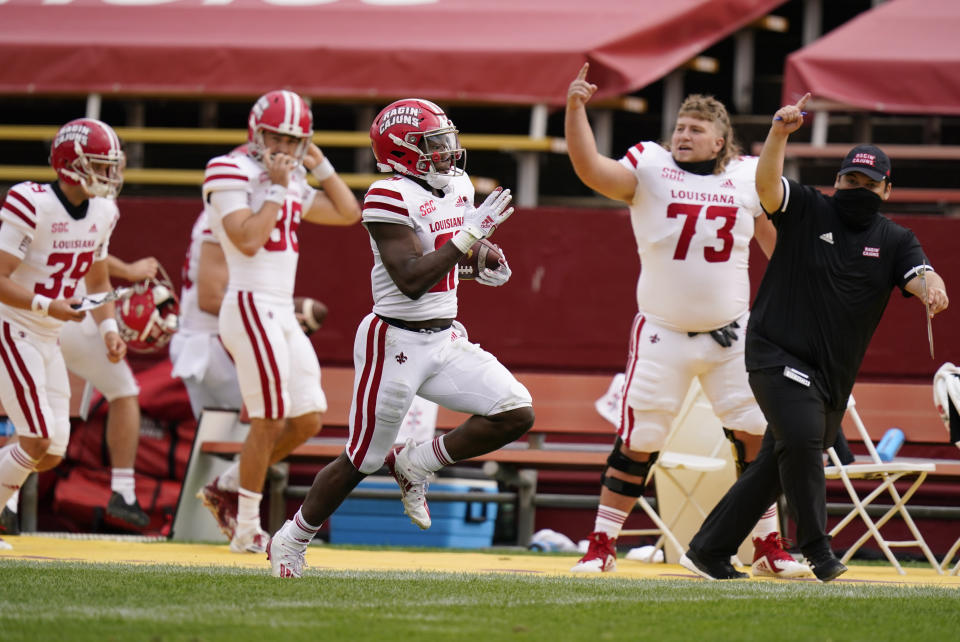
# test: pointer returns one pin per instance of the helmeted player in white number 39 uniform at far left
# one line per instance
(52, 236)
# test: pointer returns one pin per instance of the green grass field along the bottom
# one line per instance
(103, 602)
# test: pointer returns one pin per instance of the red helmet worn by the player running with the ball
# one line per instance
(414, 137)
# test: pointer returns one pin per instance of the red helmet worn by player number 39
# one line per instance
(87, 152)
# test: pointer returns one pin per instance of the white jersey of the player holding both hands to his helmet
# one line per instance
(272, 270)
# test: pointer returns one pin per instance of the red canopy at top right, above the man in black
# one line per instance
(901, 57)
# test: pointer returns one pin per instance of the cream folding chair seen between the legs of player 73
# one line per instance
(691, 473)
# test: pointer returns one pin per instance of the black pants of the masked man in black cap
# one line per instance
(799, 426)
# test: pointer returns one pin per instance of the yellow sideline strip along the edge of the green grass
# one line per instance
(51, 549)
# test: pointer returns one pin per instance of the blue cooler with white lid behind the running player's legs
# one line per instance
(383, 522)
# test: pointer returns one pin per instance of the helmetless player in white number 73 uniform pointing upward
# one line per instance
(694, 209)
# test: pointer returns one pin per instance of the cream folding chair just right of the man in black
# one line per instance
(887, 473)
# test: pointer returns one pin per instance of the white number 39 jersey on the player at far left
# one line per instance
(56, 250)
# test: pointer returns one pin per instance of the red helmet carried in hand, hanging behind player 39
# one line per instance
(149, 317)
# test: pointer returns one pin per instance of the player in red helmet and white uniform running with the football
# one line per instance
(421, 222)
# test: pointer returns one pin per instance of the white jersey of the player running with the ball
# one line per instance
(400, 200)
